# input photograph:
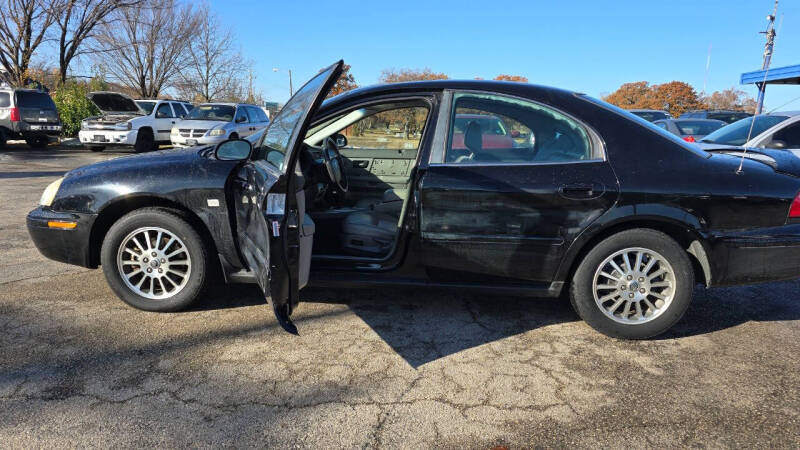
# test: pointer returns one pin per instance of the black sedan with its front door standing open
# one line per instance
(508, 187)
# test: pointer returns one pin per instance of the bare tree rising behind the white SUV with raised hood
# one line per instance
(146, 46)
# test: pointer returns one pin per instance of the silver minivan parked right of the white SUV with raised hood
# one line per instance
(210, 123)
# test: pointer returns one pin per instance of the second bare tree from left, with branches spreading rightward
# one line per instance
(77, 21)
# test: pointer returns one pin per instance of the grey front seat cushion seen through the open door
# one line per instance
(369, 233)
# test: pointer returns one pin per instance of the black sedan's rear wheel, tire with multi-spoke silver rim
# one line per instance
(668, 294)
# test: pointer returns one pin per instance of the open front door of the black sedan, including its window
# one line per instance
(272, 229)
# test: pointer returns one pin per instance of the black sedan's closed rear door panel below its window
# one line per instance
(510, 221)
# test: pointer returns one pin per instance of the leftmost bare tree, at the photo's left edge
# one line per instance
(24, 26)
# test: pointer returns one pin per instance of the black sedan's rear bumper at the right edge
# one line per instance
(765, 254)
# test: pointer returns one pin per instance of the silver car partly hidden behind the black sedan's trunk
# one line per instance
(778, 130)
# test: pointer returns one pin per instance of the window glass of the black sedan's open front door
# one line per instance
(286, 124)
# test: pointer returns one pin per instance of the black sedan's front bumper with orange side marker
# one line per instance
(69, 246)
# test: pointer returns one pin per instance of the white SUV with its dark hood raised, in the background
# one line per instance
(141, 124)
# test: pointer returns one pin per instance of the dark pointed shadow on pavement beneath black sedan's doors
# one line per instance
(423, 325)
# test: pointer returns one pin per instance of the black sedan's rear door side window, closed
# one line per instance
(488, 129)
